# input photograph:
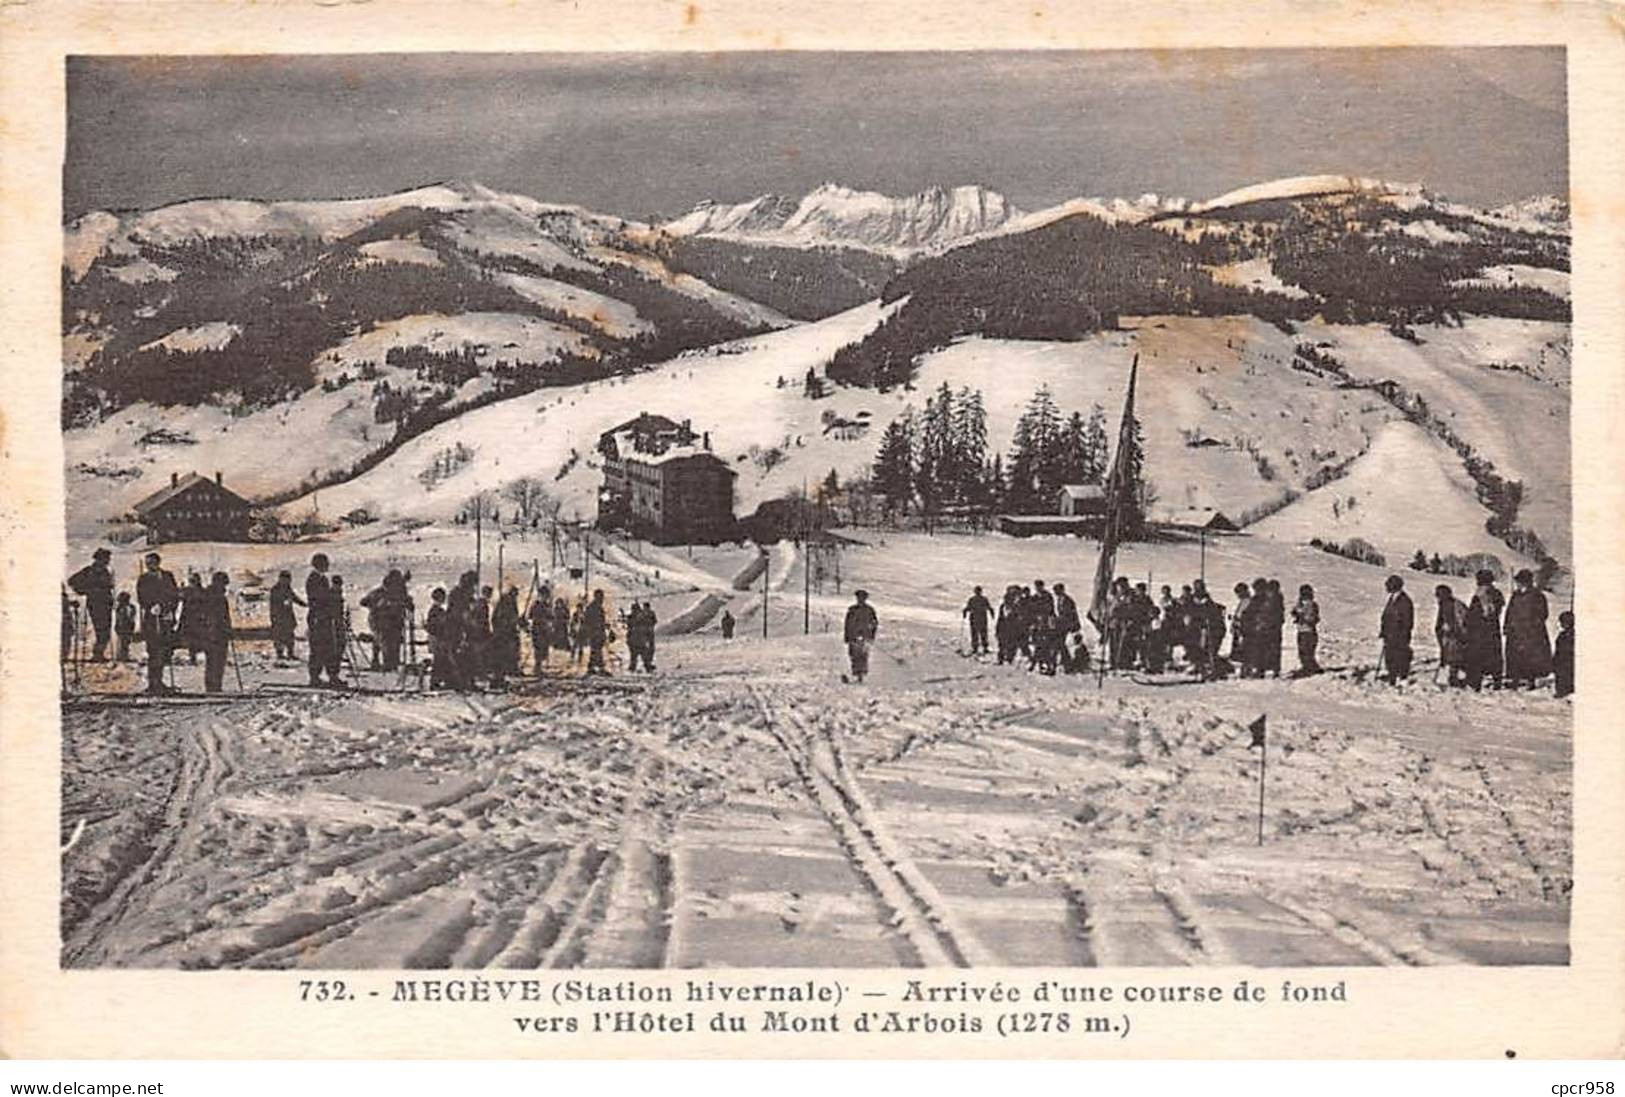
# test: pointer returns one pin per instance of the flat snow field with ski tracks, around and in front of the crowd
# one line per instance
(743, 807)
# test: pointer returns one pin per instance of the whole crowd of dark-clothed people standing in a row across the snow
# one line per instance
(475, 633)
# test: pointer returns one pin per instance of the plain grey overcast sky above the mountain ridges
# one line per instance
(652, 134)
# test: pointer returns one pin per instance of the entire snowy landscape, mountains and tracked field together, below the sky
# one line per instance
(1350, 371)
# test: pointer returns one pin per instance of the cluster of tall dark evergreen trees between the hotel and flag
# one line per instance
(940, 461)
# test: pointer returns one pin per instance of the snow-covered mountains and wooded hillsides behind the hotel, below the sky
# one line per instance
(388, 331)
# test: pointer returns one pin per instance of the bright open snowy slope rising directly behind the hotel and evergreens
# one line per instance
(1220, 402)
